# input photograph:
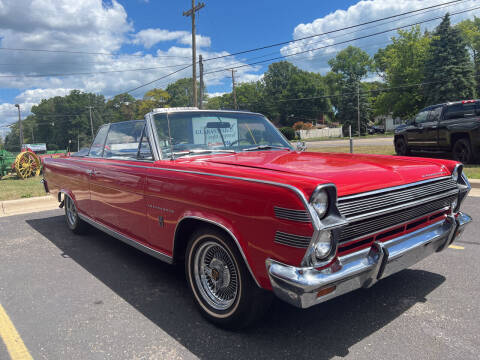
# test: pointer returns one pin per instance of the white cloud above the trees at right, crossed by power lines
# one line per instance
(361, 12)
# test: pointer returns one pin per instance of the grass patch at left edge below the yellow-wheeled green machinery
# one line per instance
(12, 188)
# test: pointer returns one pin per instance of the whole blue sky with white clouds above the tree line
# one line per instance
(155, 35)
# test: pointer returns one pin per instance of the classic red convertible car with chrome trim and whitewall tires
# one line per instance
(225, 193)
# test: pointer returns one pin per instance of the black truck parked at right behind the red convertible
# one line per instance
(450, 127)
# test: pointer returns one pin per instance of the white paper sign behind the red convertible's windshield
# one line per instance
(210, 135)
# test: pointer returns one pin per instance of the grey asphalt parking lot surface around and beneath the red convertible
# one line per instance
(92, 297)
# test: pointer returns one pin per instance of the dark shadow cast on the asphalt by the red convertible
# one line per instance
(159, 292)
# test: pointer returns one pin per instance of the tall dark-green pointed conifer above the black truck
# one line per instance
(448, 69)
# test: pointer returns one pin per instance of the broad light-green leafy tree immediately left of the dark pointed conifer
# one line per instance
(399, 64)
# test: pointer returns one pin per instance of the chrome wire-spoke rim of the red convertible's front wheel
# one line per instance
(216, 275)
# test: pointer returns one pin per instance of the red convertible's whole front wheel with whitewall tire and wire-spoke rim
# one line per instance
(222, 288)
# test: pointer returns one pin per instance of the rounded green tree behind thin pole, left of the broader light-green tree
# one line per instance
(352, 64)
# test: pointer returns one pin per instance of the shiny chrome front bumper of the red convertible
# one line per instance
(305, 287)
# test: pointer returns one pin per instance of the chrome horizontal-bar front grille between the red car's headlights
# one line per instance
(372, 212)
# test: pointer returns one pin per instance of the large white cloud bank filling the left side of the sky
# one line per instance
(88, 26)
